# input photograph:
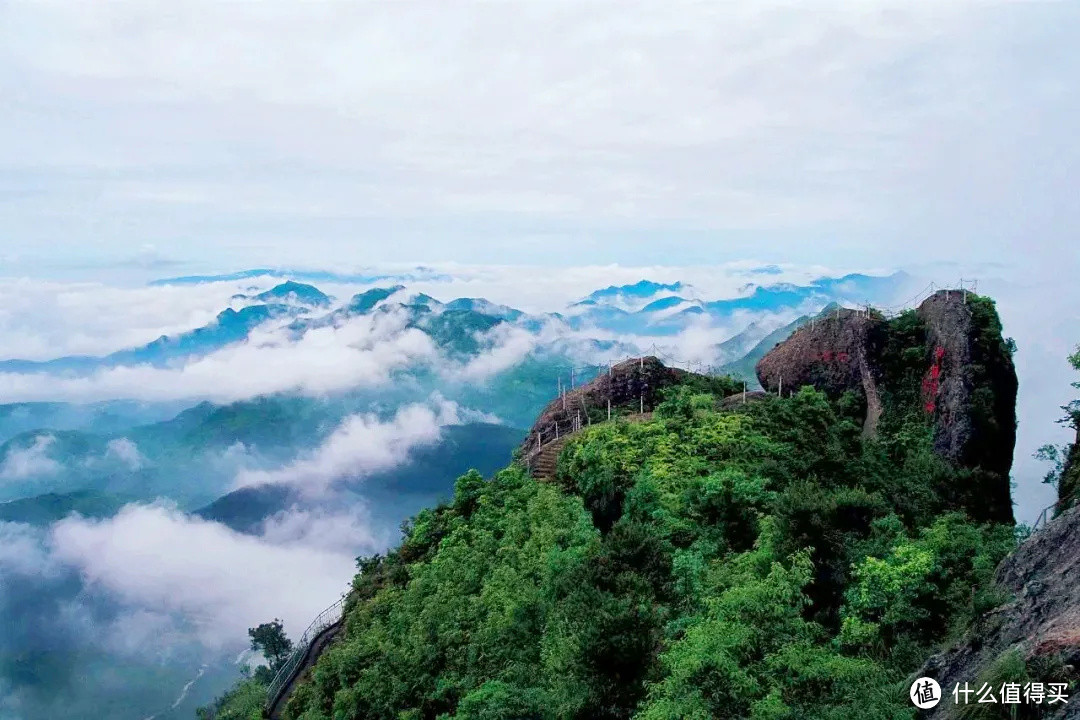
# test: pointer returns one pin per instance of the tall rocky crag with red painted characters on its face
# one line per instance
(946, 364)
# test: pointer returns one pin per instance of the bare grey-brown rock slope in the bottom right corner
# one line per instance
(1042, 620)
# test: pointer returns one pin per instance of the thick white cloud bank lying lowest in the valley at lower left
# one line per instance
(157, 559)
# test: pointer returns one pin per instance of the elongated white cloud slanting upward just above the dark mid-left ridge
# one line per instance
(361, 445)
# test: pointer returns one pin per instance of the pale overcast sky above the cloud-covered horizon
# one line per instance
(226, 135)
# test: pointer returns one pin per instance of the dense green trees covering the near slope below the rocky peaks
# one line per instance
(762, 563)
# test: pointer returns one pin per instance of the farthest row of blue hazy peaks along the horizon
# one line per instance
(457, 327)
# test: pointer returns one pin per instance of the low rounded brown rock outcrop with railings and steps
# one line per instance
(632, 386)
